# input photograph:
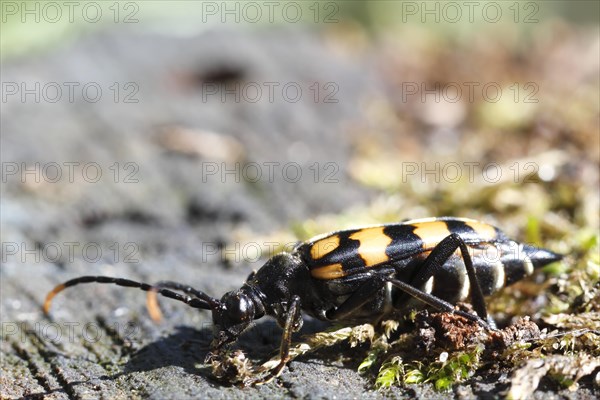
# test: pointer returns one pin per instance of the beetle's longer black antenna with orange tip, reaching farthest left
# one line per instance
(205, 302)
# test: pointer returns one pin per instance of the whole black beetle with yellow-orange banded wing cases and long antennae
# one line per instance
(363, 275)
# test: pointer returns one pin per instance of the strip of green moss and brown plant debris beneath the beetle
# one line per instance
(444, 349)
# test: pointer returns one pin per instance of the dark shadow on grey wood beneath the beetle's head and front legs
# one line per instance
(188, 347)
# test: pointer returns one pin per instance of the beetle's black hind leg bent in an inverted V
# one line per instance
(436, 260)
